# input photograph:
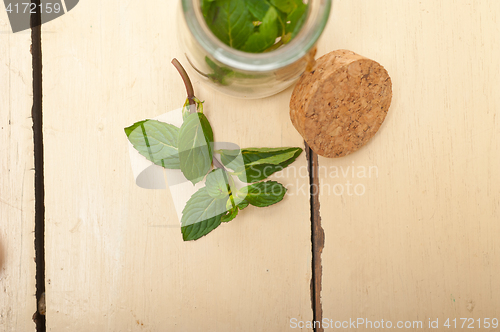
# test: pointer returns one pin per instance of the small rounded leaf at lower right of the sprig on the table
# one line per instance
(263, 194)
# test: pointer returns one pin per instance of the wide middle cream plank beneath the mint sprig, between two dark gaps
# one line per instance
(115, 260)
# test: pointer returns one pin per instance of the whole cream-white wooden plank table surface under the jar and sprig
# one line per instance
(417, 241)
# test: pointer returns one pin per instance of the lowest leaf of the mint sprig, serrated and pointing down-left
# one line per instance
(201, 215)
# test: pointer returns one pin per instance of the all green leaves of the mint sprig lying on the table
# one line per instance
(190, 149)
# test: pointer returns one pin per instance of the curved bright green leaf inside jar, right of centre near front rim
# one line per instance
(267, 34)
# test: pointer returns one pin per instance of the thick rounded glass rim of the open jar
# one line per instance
(285, 55)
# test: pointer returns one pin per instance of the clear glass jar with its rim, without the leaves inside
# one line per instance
(242, 74)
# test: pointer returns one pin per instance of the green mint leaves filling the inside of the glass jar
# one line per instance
(254, 26)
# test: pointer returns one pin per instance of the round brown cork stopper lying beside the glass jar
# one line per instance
(339, 105)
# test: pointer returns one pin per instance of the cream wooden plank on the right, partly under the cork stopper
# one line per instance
(419, 240)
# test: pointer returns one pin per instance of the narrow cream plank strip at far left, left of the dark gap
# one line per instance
(17, 206)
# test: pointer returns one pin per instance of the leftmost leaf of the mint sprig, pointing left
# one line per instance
(157, 141)
